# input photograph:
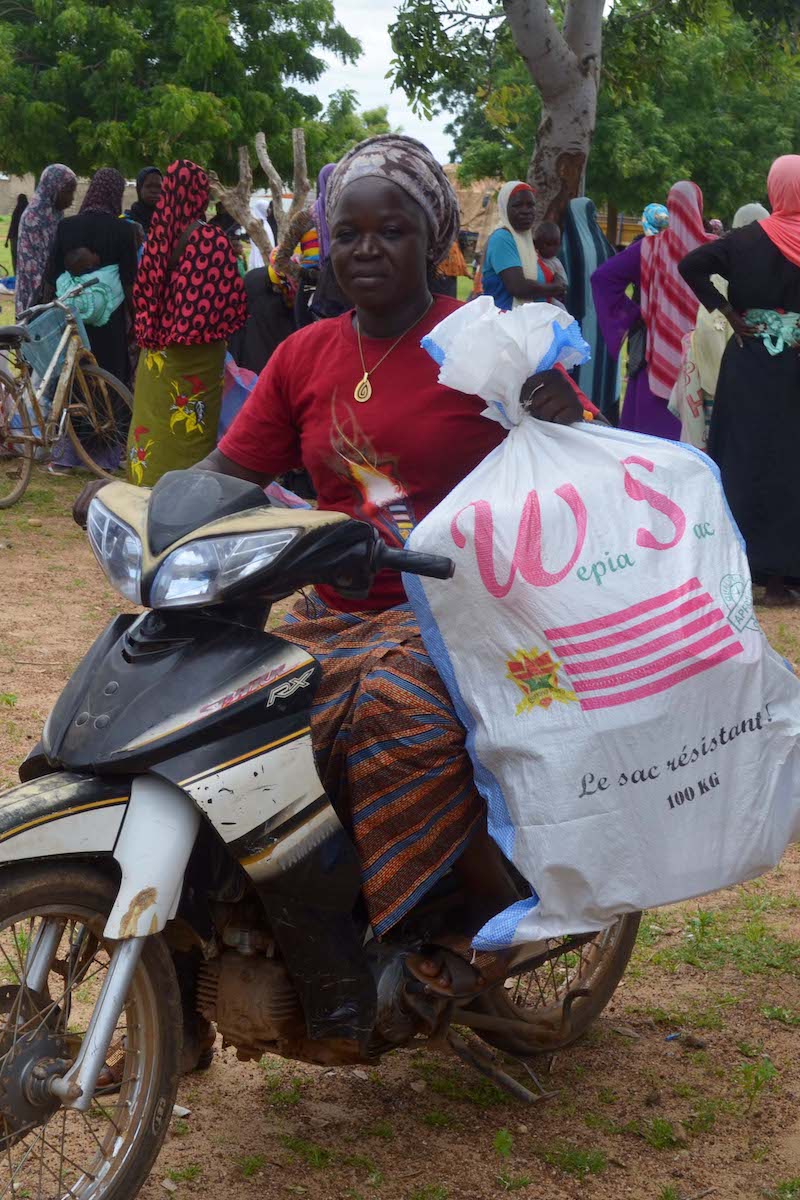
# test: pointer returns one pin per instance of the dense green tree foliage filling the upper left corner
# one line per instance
(104, 82)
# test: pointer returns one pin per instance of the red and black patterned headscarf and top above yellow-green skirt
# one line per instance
(200, 298)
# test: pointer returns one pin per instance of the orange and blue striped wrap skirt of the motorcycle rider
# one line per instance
(390, 751)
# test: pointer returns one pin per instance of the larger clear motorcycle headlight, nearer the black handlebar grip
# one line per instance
(202, 572)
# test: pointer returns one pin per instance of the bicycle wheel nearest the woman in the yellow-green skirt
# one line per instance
(98, 418)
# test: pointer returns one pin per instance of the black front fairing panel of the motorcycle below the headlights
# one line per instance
(170, 685)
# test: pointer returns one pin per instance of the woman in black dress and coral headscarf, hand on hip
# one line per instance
(756, 423)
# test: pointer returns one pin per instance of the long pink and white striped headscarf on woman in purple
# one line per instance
(669, 305)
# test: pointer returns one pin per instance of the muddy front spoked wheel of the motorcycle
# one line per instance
(49, 1153)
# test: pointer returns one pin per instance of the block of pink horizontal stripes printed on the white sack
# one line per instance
(645, 650)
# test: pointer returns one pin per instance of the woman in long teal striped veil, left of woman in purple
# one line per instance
(584, 249)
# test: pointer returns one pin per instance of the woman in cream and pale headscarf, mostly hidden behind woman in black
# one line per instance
(693, 398)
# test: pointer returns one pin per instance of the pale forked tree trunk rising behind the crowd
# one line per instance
(566, 68)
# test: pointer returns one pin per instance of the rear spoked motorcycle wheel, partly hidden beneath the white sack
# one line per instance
(550, 1007)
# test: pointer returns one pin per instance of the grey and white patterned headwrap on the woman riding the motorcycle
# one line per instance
(411, 166)
